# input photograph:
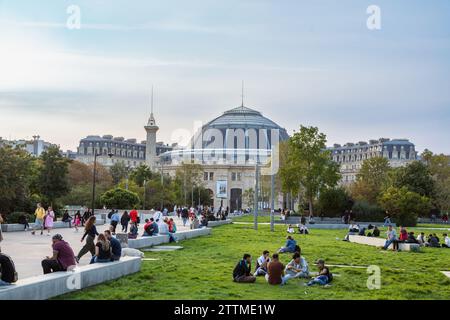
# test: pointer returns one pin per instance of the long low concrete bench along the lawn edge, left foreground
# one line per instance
(58, 283)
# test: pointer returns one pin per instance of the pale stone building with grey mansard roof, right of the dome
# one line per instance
(350, 156)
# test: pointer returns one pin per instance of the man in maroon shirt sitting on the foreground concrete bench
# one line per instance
(63, 256)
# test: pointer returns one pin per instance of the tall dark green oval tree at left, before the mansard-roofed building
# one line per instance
(53, 180)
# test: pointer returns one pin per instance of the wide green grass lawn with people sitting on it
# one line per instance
(202, 270)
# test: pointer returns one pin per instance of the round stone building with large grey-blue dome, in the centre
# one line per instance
(228, 149)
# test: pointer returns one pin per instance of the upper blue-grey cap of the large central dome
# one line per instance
(244, 118)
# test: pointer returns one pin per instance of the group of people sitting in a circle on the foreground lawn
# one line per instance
(276, 273)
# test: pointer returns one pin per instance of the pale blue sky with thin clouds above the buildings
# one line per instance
(312, 63)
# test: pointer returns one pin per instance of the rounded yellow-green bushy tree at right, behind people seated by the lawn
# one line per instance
(404, 205)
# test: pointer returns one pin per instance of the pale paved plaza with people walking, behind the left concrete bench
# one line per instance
(27, 251)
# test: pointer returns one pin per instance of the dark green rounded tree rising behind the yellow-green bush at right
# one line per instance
(417, 177)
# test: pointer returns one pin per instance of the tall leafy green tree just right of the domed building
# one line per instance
(308, 165)
